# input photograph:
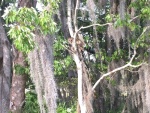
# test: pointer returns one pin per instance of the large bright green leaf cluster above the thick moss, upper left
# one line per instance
(24, 22)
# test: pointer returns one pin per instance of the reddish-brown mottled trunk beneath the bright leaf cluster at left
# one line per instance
(17, 96)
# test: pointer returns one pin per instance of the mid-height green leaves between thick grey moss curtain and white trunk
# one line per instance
(62, 62)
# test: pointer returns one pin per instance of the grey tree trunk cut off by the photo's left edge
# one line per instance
(5, 70)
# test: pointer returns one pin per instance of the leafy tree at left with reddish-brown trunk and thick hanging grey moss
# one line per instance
(28, 35)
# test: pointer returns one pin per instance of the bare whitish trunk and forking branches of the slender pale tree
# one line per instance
(74, 32)
